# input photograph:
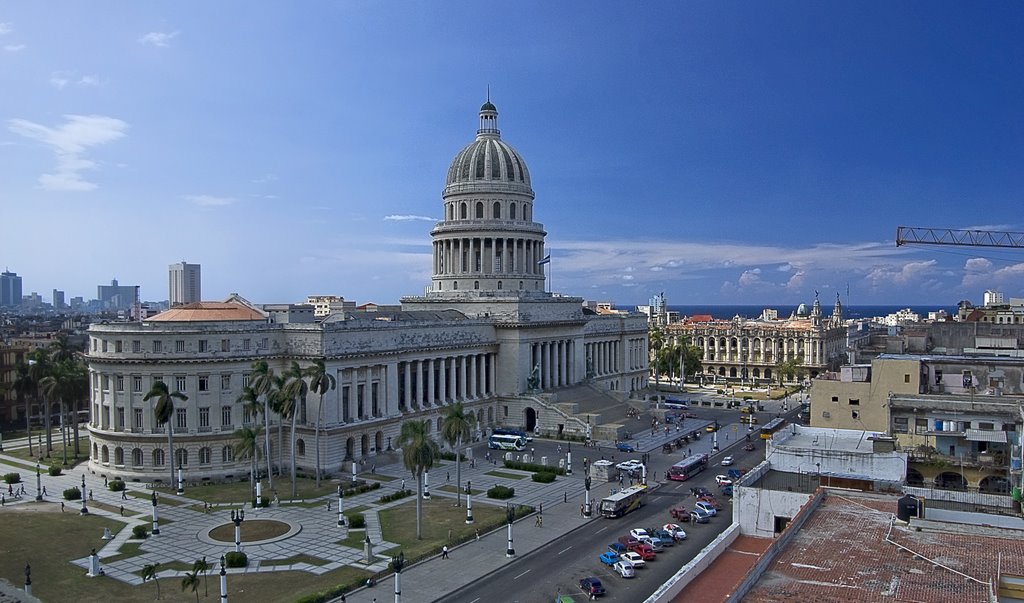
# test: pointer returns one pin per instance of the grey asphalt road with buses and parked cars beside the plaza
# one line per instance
(559, 567)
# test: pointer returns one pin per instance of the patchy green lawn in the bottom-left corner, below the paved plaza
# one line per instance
(24, 528)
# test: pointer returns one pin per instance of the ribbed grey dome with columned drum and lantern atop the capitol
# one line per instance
(489, 241)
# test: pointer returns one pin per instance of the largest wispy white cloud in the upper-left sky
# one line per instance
(69, 142)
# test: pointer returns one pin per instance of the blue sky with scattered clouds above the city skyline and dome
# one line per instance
(719, 152)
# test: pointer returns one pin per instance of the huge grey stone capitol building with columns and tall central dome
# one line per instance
(486, 332)
